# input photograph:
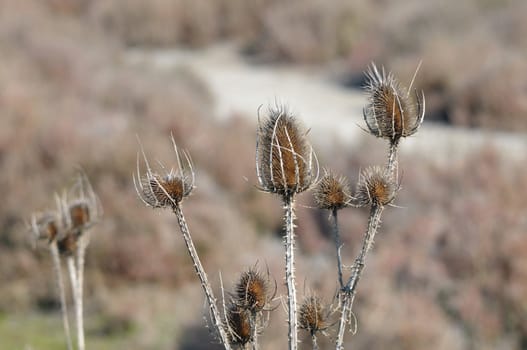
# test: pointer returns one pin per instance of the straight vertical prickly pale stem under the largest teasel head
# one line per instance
(290, 271)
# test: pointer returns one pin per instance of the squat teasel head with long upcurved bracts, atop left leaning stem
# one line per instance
(161, 189)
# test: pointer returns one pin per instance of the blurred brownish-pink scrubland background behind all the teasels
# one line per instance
(80, 79)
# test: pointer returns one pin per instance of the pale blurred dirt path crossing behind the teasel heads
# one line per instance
(332, 110)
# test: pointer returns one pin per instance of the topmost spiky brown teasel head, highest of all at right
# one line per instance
(391, 112)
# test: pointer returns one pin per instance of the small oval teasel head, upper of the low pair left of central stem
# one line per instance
(252, 291)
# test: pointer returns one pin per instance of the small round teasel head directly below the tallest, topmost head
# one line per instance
(376, 187)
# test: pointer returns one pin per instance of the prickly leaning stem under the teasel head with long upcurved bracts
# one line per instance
(214, 312)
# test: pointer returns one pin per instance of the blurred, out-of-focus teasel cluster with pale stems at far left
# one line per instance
(65, 230)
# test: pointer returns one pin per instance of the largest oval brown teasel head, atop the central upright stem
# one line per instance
(285, 162)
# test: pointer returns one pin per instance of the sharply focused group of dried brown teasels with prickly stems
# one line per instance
(287, 166)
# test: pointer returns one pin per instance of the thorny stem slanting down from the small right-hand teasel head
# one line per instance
(348, 293)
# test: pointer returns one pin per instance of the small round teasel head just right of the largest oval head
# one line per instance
(332, 192)
